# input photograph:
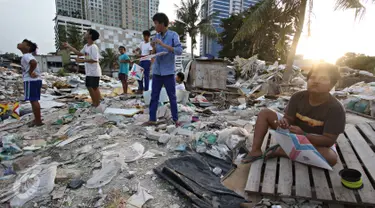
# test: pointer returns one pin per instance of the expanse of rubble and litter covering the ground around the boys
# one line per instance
(83, 159)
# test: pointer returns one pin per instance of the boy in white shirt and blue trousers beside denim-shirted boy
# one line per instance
(145, 49)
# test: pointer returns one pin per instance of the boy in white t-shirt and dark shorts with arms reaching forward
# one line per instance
(92, 67)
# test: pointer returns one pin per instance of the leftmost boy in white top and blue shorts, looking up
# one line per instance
(31, 79)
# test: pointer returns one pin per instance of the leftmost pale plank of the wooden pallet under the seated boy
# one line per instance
(253, 180)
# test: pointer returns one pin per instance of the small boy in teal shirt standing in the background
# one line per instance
(124, 62)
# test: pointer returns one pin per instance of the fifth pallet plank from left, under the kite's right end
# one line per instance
(321, 184)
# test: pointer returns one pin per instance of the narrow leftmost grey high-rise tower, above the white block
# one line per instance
(71, 8)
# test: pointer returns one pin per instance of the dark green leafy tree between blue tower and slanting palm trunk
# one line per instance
(270, 40)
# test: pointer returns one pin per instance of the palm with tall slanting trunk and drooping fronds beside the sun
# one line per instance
(299, 6)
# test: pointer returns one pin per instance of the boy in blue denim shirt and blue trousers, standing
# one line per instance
(164, 66)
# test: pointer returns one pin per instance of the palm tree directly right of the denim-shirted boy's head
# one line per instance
(188, 17)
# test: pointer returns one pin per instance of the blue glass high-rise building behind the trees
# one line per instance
(223, 9)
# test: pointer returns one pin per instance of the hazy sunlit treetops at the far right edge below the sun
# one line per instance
(358, 61)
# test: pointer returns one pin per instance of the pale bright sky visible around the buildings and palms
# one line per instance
(333, 32)
